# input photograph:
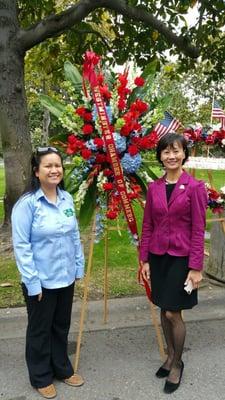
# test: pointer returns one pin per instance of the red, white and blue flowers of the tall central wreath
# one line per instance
(89, 144)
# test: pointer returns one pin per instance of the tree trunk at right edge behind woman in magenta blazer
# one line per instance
(216, 264)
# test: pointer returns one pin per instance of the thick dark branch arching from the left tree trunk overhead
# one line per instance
(56, 24)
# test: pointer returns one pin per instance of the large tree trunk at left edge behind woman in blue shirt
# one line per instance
(16, 143)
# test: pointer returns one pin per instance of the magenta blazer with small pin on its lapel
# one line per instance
(176, 228)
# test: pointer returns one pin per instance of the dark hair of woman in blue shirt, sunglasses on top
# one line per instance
(36, 157)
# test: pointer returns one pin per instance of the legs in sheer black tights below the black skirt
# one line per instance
(174, 331)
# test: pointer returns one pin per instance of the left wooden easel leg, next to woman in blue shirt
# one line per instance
(84, 303)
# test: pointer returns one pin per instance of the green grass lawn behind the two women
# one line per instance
(122, 259)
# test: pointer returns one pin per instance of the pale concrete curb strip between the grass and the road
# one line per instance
(122, 313)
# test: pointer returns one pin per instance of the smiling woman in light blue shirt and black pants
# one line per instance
(49, 257)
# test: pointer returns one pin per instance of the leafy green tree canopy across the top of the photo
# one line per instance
(133, 29)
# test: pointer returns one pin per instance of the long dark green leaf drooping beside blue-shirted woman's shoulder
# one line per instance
(88, 206)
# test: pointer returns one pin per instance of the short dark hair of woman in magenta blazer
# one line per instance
(168, 140)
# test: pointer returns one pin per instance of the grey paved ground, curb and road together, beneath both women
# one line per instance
(119, 359)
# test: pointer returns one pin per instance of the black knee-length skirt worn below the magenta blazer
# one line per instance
(168, 274)
